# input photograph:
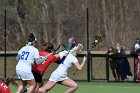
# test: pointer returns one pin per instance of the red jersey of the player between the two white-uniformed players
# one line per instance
(41, 68)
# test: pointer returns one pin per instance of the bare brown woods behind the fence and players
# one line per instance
(116, 21)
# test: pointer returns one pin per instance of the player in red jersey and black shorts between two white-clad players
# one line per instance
(39, 69)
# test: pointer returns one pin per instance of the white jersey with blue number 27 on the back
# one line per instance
(28, 54)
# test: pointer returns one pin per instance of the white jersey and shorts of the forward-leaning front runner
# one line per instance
(60, 73)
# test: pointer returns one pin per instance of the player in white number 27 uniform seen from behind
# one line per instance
(27, 56)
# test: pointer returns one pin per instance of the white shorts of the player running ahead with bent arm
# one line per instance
(57, 76)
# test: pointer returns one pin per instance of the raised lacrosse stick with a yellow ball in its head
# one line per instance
(97, 40)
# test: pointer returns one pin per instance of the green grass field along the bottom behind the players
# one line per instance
(98, 87)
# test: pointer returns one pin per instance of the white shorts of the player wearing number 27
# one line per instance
(24, 75)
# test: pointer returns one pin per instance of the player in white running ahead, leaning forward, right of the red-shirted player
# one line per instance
(60, 74)
